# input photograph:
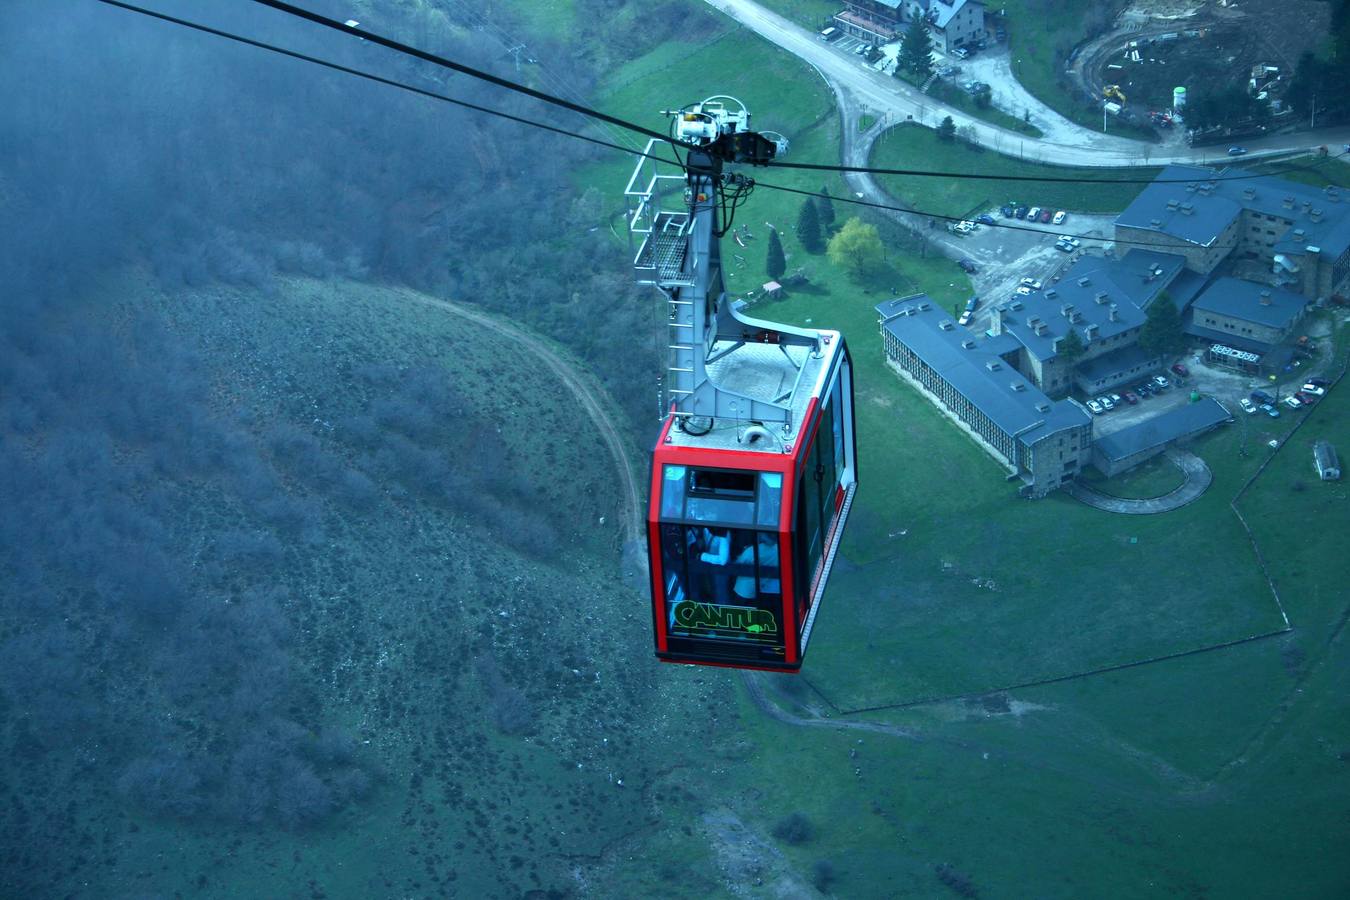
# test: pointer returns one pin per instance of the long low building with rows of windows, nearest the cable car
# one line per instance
(1046, 443)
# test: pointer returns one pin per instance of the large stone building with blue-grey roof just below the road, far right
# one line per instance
(1301, 233)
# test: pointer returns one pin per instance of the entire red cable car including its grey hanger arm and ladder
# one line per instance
(755, 468)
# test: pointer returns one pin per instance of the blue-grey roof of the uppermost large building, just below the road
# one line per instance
(1321, 217)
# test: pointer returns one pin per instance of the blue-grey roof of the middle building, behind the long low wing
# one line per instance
(1081, 288)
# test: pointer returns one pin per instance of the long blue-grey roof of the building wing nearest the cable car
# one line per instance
(1001, 393)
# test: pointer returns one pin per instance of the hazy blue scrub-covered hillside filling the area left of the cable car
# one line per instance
(286, 550)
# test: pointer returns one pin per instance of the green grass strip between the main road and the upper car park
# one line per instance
(902, 146)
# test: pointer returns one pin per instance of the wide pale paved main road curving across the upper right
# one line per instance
(1071, 145)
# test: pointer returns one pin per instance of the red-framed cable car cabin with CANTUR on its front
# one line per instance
(749, 519)
